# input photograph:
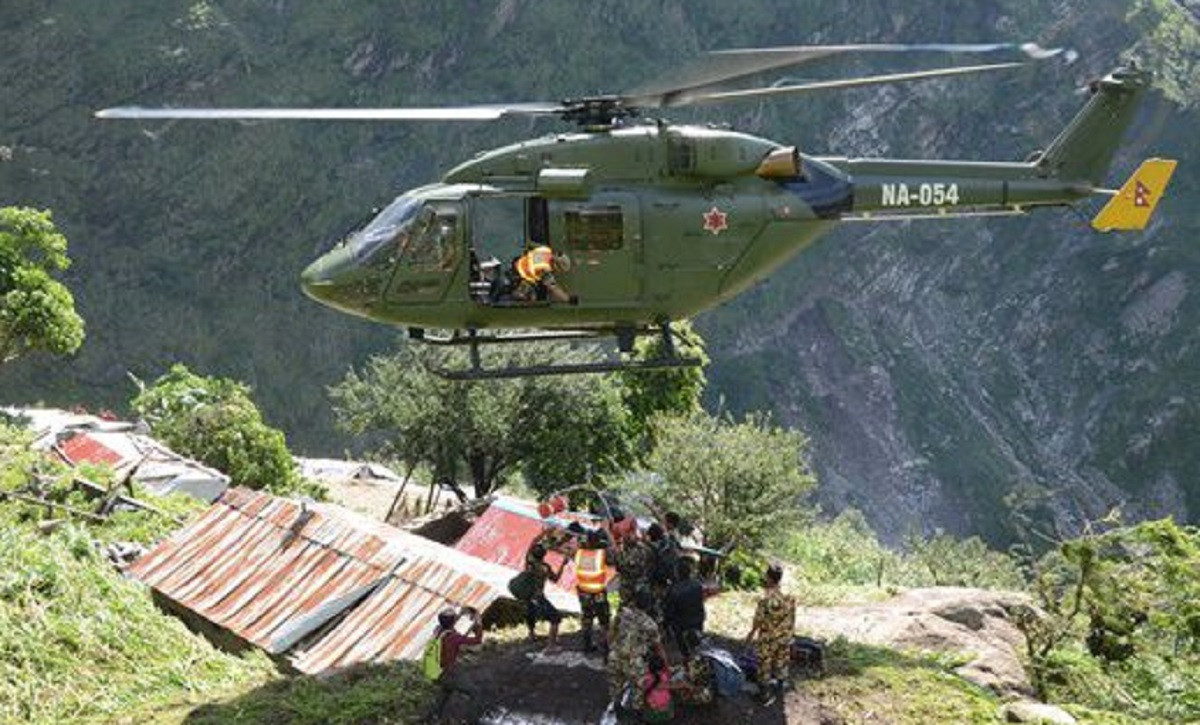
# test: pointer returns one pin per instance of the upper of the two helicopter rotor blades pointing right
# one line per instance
(724, 67)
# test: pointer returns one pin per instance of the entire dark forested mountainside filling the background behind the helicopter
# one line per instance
(961, 375)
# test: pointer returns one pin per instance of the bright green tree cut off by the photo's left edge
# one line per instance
(37, 310)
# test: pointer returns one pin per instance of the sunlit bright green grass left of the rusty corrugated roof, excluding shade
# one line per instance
(79, 643)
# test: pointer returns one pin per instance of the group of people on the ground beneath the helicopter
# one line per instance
(662, 613)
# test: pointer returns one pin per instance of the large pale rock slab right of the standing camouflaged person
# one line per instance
(976, 624)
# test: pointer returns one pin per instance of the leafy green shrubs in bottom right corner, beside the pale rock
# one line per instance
(1118, 621)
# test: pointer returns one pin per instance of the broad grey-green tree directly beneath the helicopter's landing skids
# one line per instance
(556, 430)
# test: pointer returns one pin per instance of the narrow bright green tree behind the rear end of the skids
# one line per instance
(673, 392)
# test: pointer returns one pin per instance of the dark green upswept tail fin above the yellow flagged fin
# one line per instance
(1085, 147)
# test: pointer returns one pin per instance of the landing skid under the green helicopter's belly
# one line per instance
(475, 340)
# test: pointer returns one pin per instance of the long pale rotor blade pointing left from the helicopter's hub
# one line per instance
(461, 113)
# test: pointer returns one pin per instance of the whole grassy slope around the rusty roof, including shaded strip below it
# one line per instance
(81, 644)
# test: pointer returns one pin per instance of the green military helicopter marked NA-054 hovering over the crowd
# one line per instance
(659, 221)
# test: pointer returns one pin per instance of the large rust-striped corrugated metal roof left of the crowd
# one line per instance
(277, 573)
